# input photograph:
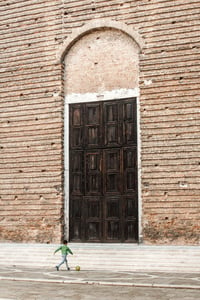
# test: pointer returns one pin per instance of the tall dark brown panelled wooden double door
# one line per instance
(103, 172)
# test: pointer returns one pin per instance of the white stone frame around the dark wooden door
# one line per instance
(95, 97)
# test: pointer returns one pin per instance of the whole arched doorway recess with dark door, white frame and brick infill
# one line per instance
(101, 149)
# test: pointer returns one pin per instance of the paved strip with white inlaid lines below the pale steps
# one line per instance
(121, 278)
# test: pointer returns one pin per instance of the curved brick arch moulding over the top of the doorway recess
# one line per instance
(97, 25)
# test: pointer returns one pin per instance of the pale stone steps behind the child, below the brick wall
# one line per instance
(112, 257)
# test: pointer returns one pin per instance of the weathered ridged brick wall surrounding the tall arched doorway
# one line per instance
(31, 108)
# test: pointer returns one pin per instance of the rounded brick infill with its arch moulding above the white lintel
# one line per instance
(101, 57)
